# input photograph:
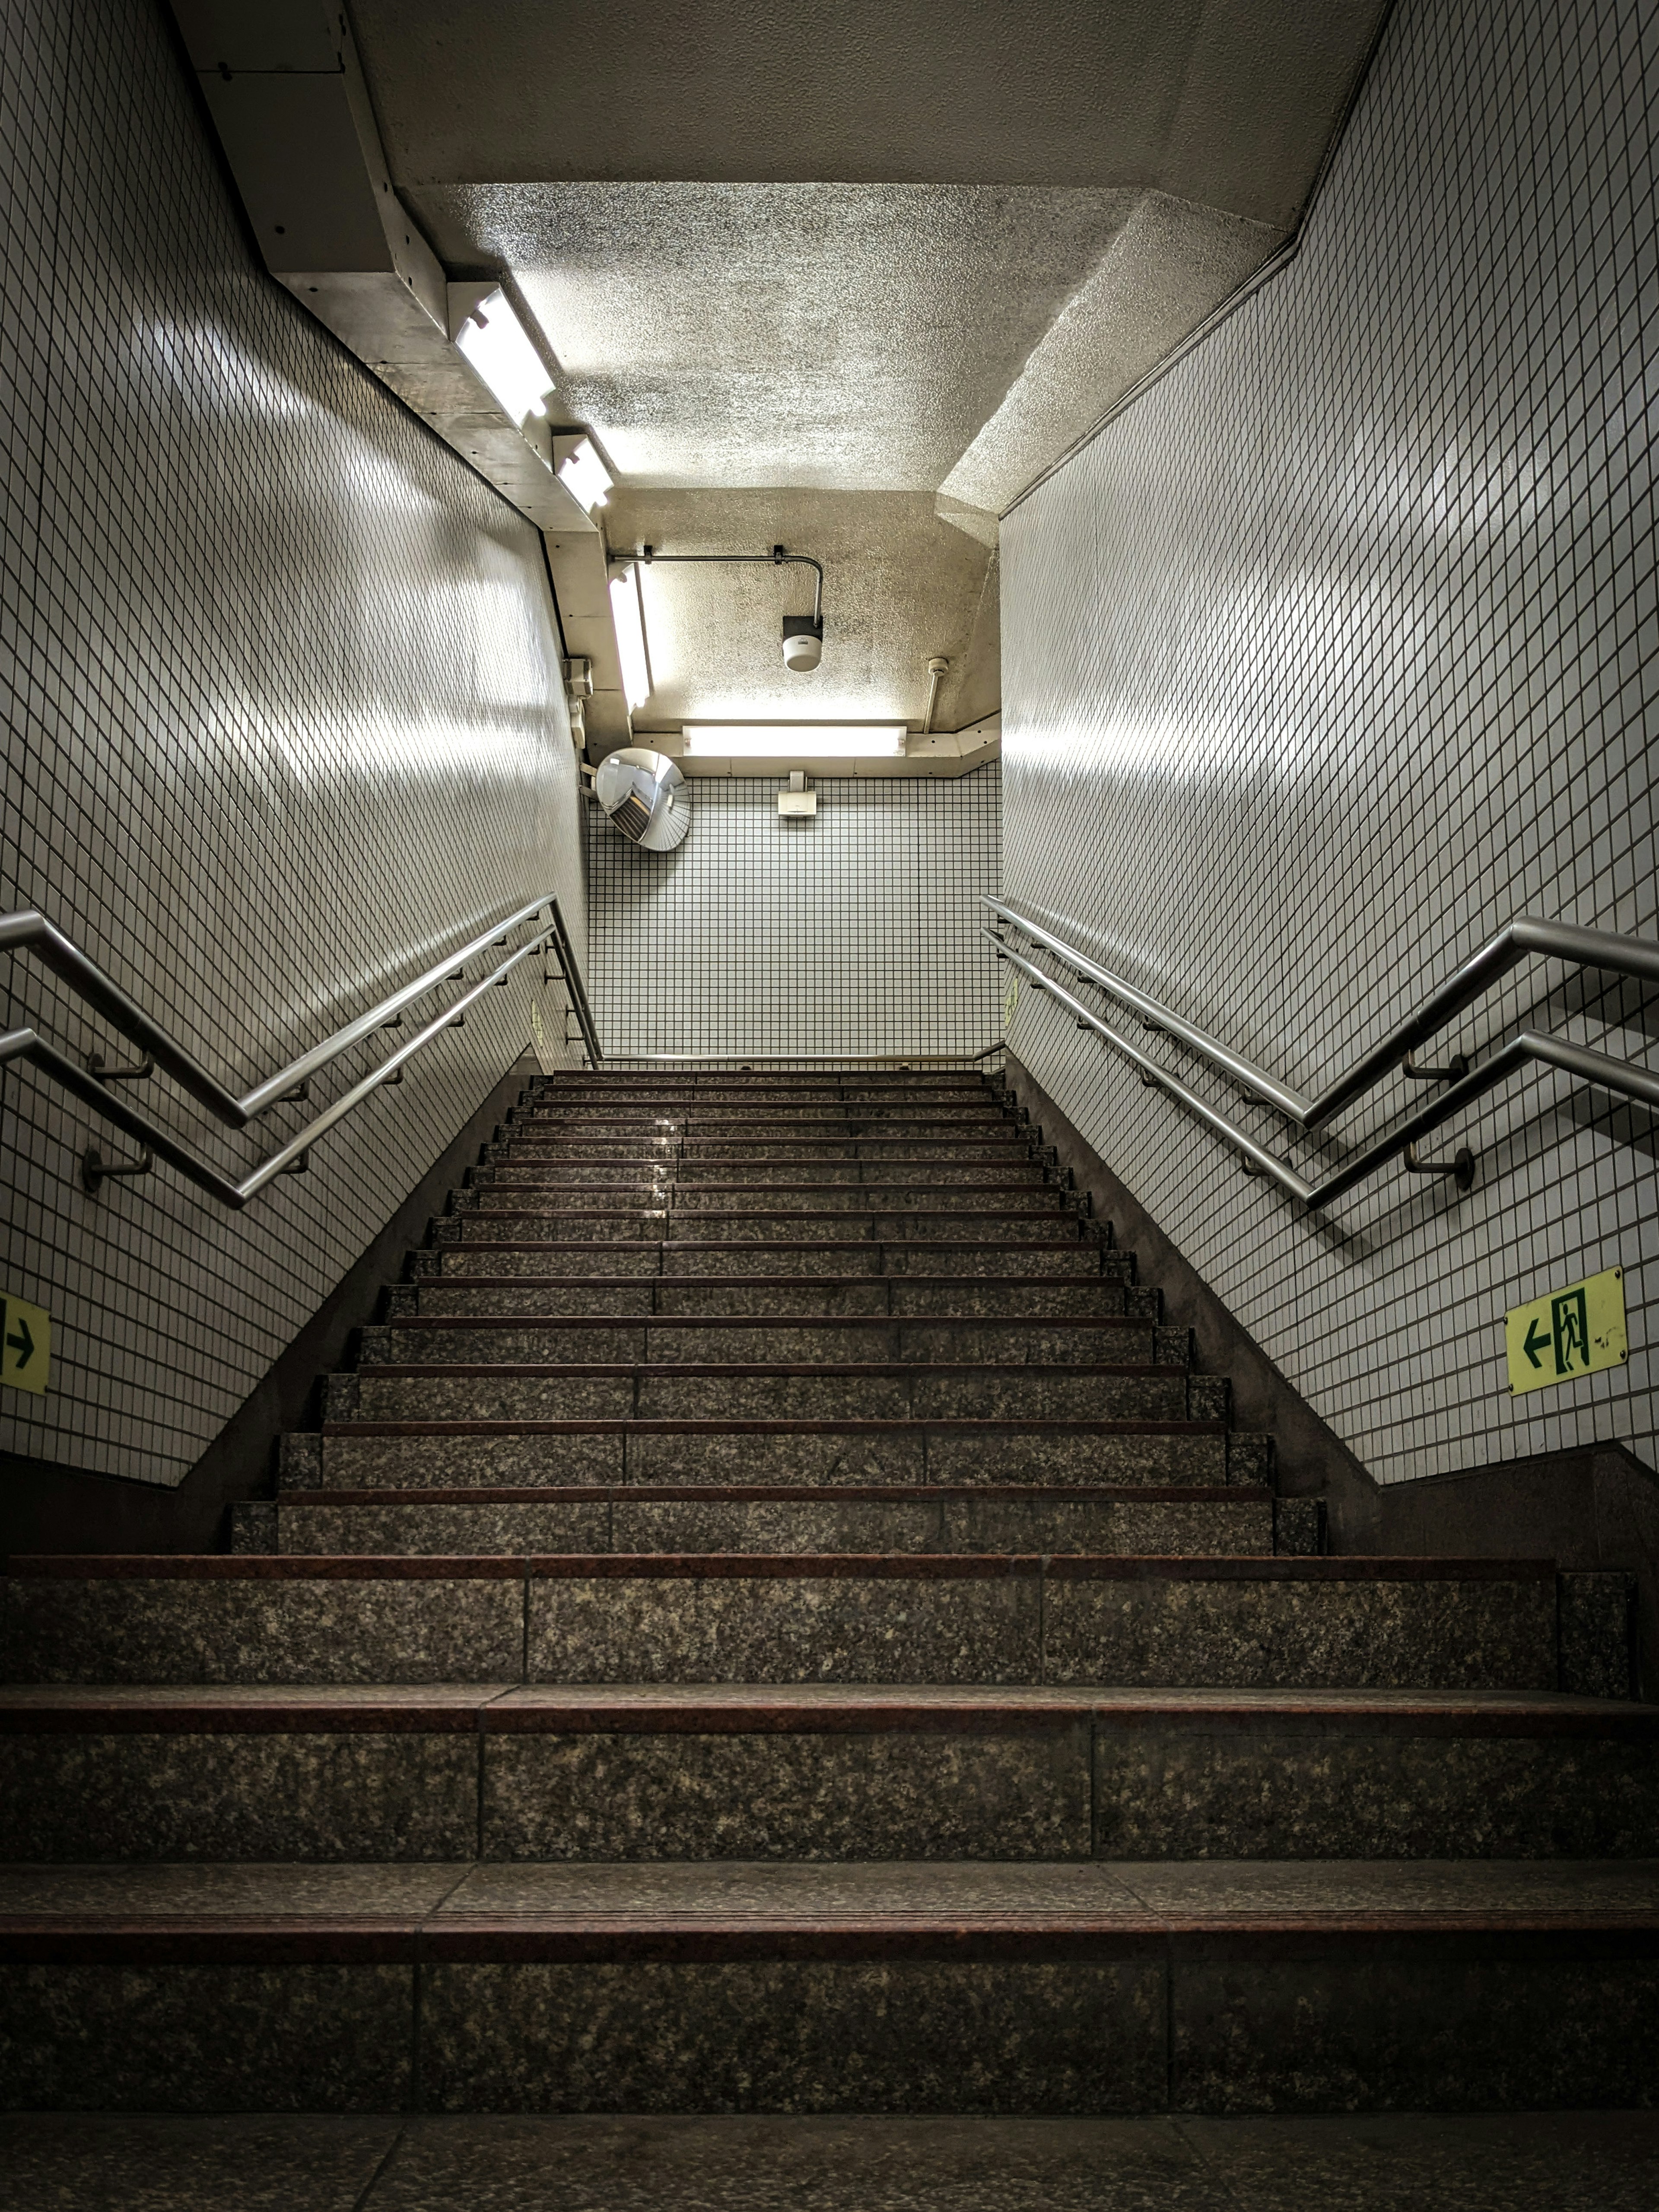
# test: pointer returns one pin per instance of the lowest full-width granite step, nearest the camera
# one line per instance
(877, 1987)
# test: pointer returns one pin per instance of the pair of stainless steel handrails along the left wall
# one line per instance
(125, 1014)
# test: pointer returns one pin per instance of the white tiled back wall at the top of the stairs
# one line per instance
(853, 932)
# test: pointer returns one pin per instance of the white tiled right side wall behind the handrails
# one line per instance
(1335, 654)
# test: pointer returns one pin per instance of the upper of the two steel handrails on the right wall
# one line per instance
(1519, 941)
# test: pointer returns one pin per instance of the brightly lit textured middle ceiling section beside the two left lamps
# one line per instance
(828, 335)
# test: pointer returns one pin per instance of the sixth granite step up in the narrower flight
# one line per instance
(474, 1246)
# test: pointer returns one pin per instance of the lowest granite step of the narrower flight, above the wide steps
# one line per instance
(1025, 1519)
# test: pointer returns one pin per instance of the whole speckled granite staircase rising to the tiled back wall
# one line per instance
(775, 1623)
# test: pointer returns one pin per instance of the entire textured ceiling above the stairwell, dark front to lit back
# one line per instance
(899, 251)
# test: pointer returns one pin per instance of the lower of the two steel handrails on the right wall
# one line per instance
(1623, 1076)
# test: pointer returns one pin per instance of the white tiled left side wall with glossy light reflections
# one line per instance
(284, 718)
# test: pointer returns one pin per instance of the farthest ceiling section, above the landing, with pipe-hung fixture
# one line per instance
(899, 587)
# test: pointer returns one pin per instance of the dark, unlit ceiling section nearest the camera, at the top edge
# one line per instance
(1227, 103)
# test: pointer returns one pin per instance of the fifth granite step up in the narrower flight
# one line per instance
(769, 1297)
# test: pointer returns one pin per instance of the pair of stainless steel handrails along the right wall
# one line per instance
(1603, 950)
